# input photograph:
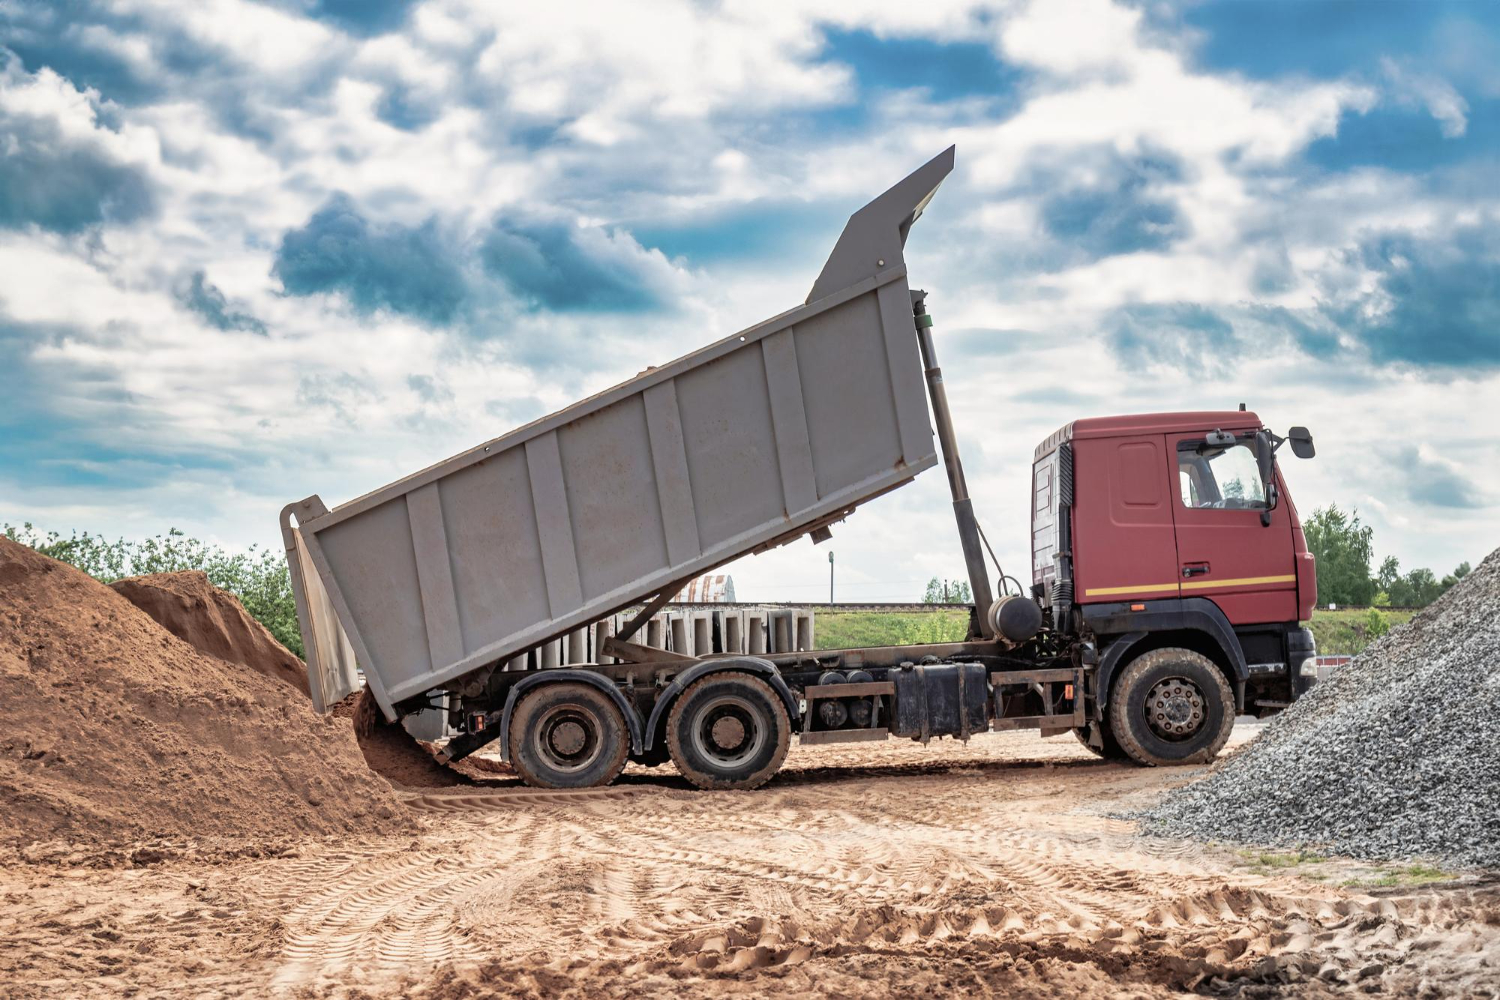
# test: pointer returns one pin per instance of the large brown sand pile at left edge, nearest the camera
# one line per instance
(113, 729)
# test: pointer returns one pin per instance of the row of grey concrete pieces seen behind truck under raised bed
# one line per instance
(694, 630)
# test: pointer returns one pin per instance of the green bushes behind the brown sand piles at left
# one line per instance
(259, 578)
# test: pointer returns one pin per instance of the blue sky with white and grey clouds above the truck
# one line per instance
(253, 251)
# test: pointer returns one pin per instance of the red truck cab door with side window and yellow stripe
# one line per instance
(1225, 551)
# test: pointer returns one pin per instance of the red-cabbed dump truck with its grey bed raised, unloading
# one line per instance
(1169, 570)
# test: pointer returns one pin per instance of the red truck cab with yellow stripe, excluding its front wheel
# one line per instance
(1177, 531)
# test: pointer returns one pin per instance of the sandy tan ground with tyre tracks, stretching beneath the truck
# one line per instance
(865, 870)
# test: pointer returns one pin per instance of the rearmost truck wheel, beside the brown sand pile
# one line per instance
(568, 735)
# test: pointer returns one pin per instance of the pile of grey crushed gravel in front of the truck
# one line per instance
(1394, 756)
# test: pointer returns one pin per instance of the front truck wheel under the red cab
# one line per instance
(1172, 707)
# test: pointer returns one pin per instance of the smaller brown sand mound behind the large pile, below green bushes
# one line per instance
(212, 621)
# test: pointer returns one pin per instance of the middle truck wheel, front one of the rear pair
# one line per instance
(728, 731)
